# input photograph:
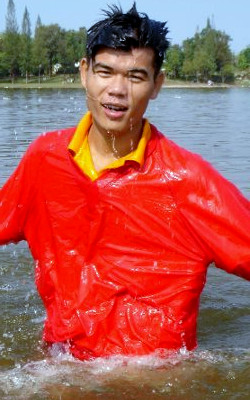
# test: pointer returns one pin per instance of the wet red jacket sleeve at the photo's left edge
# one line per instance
(15, 202)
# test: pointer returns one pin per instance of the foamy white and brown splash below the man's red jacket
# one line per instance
(183, 374)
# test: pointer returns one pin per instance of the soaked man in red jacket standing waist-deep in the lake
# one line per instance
(122, 222)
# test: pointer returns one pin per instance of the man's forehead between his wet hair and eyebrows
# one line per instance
(137, 57)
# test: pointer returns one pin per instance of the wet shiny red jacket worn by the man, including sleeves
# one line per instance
(121, 261)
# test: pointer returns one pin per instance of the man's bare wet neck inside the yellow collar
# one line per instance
(106, 147)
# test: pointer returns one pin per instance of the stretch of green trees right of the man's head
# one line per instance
(206, 56)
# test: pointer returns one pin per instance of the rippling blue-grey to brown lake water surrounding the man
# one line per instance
(212, 122)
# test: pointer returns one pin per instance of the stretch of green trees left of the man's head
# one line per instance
(51, 49)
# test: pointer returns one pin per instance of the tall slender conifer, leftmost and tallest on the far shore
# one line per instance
(11, 41)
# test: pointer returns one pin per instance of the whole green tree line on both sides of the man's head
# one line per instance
(205, 56)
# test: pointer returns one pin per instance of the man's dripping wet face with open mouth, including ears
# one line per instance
(119, 86)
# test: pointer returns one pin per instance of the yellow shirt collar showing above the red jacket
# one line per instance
(79, 146)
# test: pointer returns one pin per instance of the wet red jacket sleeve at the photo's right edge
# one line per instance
(220, 215)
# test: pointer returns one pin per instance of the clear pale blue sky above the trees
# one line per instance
(184, 17)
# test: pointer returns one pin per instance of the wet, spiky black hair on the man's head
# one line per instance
(125, 31)
